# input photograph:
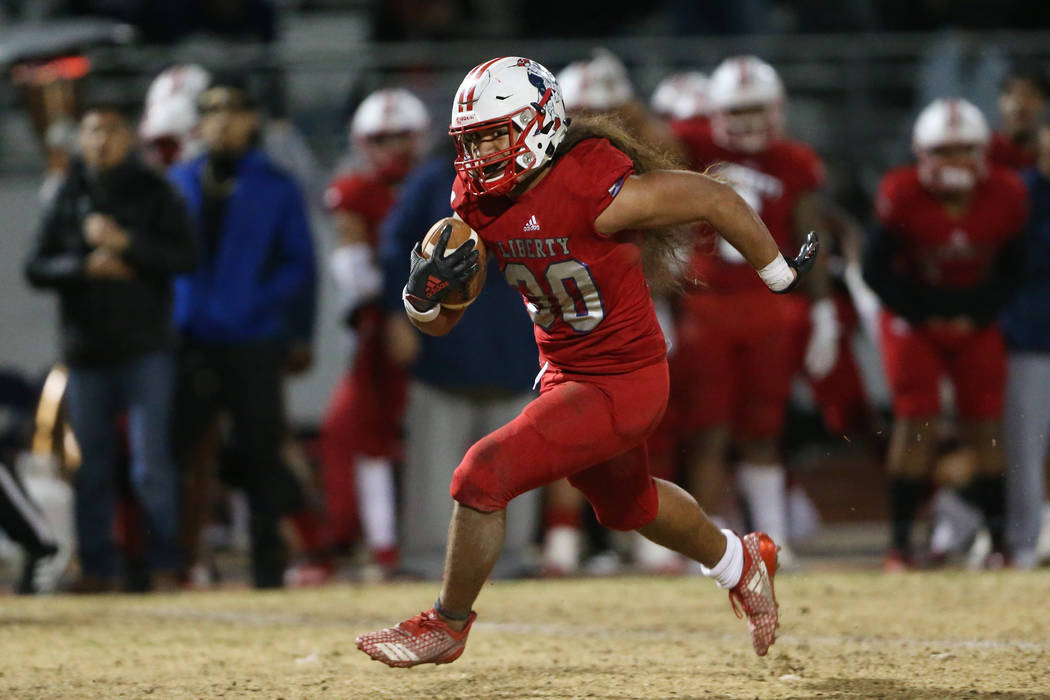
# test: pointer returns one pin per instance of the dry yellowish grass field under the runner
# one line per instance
(844, 635)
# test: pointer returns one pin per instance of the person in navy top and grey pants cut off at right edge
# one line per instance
(1026, 328)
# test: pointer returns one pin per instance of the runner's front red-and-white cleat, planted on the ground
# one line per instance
(421, 640)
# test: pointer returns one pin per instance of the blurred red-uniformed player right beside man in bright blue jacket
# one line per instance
(361, 435)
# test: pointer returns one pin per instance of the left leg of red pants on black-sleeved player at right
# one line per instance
(914, 368)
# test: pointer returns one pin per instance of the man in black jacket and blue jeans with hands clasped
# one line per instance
(110, 244)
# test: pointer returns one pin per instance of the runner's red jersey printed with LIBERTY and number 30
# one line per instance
(585, 292)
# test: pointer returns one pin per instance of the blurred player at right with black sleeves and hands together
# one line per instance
(943, 261)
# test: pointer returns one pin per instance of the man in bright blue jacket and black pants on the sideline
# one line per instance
(235, 311)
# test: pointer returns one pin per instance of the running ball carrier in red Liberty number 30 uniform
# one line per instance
(571, 217)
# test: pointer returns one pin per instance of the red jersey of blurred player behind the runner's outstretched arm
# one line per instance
(771, 182)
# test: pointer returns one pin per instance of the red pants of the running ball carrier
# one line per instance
(590, 429)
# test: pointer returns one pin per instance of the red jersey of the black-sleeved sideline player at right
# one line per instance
(940, 249)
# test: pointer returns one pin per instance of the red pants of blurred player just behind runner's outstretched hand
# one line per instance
(738, 355)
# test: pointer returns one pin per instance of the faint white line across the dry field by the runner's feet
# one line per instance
(576, 631)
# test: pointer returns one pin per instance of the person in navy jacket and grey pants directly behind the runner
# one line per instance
(463, 386)
